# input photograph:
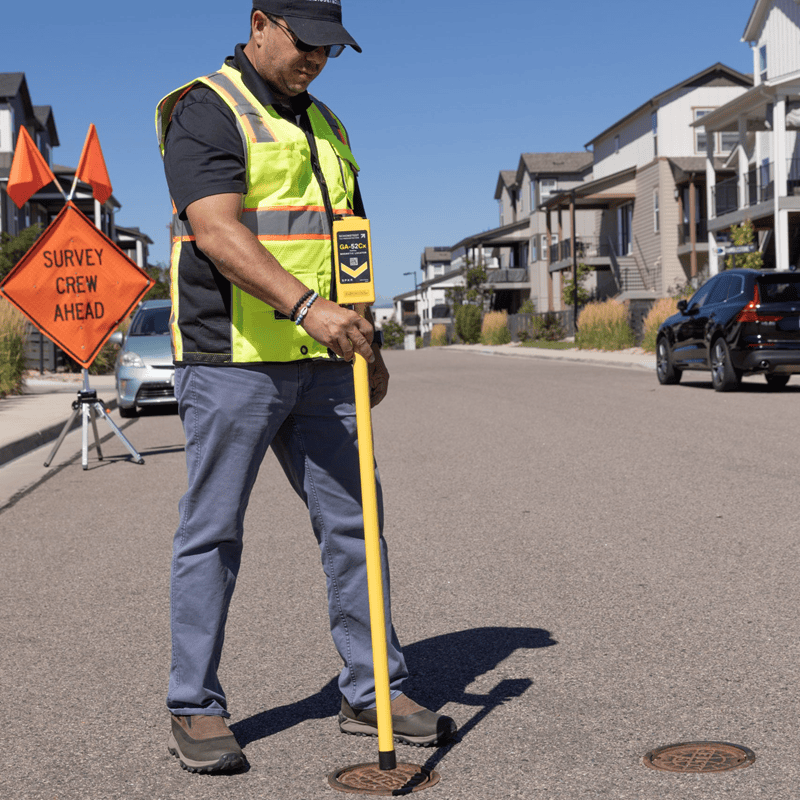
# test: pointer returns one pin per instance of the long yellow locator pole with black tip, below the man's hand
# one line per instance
(369, 502)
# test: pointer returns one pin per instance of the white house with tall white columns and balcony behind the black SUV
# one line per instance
(762, 125)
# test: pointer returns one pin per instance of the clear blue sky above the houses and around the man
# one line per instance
(445, 95)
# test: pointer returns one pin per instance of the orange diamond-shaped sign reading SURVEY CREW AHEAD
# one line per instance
(75, 285)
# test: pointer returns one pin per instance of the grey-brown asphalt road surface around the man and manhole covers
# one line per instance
(585, 566)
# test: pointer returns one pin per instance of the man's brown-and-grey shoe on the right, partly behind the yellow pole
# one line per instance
(411, 723)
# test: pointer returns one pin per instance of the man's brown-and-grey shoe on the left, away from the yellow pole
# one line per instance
(203, 743)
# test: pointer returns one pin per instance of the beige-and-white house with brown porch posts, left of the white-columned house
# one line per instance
(646, 193)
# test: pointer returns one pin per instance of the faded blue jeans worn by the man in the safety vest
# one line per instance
(306, 411)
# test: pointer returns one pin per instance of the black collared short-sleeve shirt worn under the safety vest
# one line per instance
(204, 154)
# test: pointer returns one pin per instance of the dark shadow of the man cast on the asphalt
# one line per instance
(441, 670)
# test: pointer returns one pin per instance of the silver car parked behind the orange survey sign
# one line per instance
(144, 372)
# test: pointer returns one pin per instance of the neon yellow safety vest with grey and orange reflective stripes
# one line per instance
(284, 207)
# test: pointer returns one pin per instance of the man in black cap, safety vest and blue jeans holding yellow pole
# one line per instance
(257, 170)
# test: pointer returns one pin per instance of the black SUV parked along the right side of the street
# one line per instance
(742, 321)
